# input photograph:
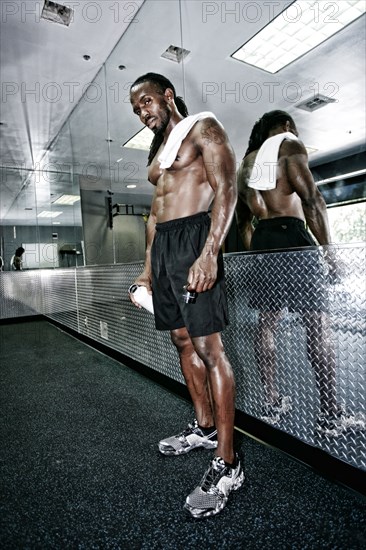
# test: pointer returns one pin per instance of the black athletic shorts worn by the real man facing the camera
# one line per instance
(176, 246)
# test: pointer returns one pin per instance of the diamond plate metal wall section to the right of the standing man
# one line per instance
(316, 317)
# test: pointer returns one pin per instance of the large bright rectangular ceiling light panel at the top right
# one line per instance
(301, 27)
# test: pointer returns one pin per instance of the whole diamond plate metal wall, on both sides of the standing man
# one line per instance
(313, 318)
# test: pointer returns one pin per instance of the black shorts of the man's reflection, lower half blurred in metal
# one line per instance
(294, 278)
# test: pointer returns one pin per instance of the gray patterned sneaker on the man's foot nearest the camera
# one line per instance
(210, 497)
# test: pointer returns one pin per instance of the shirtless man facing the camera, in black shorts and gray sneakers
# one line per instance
(183, 250)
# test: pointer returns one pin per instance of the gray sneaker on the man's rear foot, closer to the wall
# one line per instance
(191, 438)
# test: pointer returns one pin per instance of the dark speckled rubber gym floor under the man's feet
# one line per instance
(80, 467)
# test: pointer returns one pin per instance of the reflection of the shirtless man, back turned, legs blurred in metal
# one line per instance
(281, 213)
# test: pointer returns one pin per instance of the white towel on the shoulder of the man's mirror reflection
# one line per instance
(263, 176)
